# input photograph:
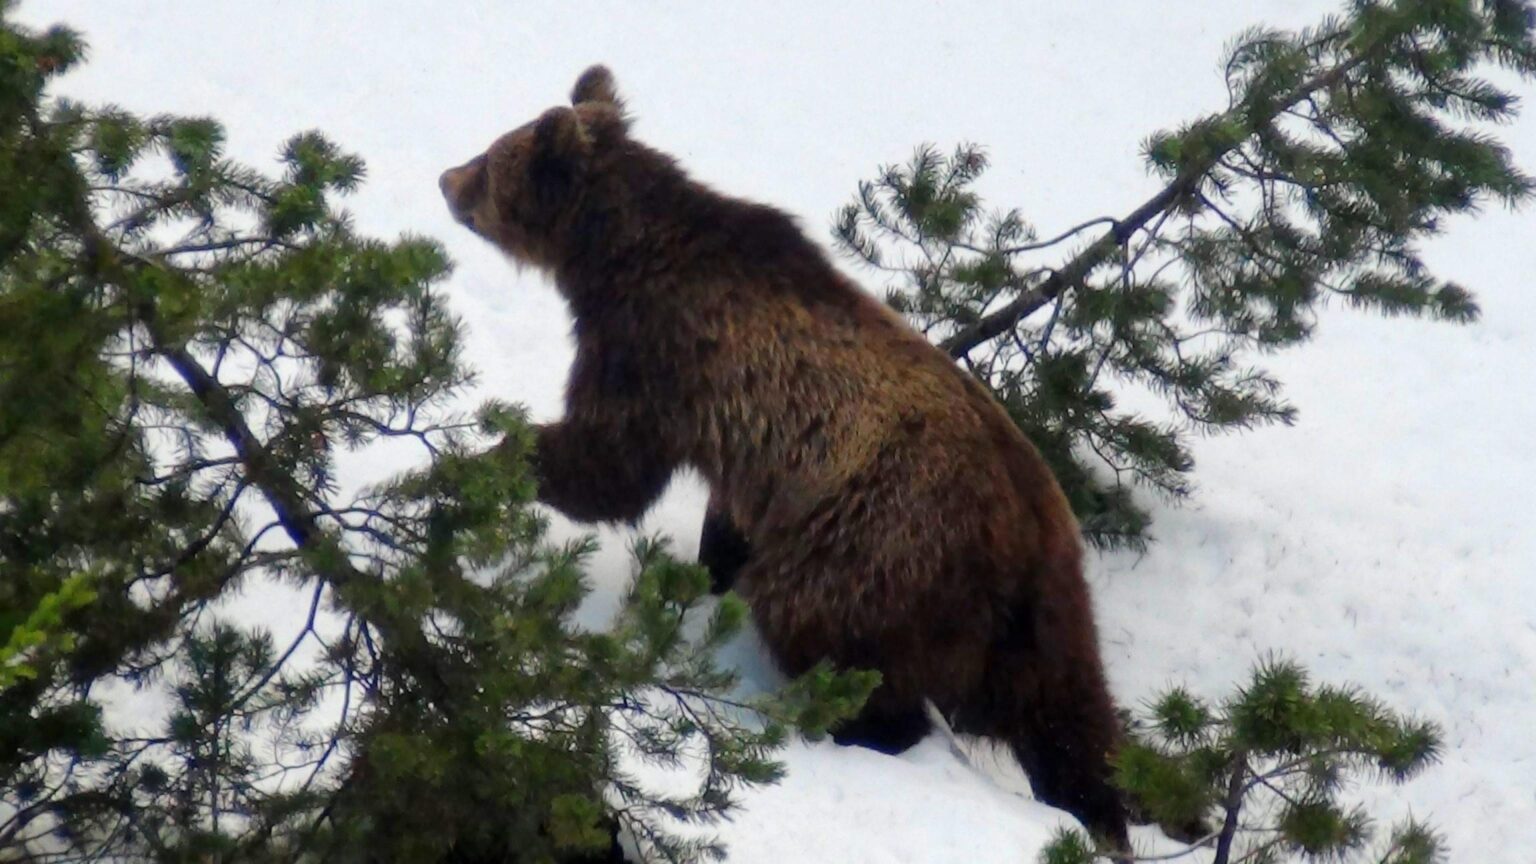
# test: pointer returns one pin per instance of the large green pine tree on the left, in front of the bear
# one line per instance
(187, 345)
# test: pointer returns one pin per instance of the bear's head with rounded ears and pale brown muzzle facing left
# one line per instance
(535, 185)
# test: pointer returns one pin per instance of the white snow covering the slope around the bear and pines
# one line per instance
(1382, 540)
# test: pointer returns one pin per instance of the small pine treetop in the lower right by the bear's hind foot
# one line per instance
(1259, 777)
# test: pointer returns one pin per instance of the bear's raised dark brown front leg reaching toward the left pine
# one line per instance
(600, 473)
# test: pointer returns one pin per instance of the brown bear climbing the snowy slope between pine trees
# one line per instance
(896, 517)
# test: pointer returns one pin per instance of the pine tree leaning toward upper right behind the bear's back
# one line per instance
(1343, 147)
